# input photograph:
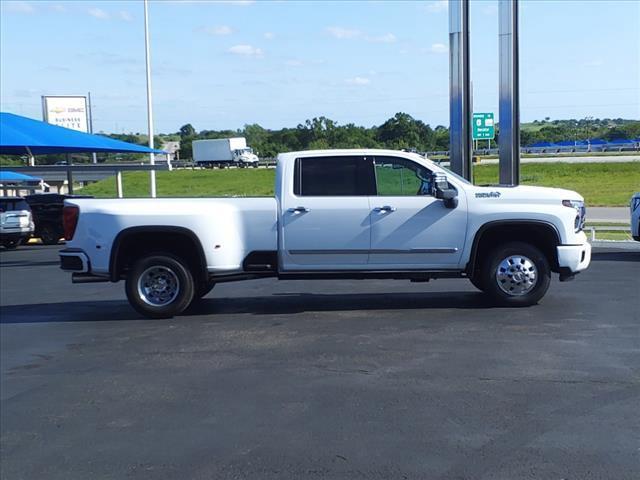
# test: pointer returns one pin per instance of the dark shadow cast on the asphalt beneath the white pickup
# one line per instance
(276, 304)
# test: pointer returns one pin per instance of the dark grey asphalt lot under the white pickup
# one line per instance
(325, 379)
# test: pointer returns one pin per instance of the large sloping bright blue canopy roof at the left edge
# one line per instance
(21, 135)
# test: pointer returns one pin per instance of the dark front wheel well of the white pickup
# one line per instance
(542, 235)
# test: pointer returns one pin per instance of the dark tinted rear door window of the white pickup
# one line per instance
(333, 177)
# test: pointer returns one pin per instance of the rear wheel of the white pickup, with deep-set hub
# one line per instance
(172, 273)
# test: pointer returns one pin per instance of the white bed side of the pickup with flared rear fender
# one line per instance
(228, 228)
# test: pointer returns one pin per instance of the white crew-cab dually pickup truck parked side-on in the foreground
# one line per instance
(336, 214)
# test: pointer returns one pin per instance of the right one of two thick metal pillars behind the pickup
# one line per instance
(509, 108)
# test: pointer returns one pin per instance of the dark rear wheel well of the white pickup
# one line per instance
(136, 242)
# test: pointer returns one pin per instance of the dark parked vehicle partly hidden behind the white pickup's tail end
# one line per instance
(47, 215)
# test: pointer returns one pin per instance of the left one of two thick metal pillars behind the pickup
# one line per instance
(460, 109)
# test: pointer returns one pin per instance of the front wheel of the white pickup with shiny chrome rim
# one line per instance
(516, 276)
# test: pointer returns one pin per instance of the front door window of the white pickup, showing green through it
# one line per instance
(401, 177)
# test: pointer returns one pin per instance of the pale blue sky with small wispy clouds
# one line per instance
(224, 64)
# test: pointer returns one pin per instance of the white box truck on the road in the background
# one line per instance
(223, 152)
